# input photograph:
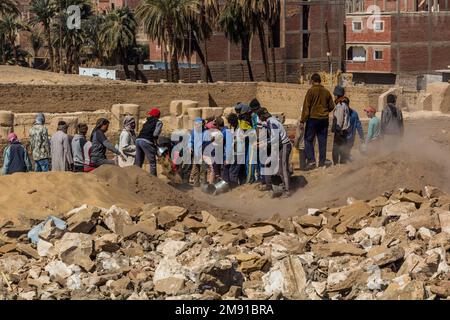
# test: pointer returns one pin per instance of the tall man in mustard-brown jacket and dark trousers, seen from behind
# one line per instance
(315, 116)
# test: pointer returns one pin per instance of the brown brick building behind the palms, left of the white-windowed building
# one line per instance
(301, 44)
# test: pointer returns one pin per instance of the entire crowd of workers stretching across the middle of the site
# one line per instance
(240, 142)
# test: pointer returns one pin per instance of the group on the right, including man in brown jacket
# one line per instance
(314, 123)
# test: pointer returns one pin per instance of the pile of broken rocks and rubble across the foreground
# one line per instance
(392, 247)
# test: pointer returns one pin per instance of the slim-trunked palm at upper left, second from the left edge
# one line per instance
(43, 13)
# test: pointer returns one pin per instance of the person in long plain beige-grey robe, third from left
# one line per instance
(61, 149)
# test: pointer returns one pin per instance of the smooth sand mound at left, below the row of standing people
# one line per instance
(37, 195)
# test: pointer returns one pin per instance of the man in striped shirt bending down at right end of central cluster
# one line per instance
(277, 135)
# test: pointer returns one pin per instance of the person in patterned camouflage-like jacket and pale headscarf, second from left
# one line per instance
(40, 144)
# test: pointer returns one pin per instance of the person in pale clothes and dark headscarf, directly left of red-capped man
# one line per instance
(127, 141)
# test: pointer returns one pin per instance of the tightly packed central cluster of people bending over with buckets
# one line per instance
(239, 161)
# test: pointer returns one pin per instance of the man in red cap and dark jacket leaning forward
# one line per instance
(147, 140)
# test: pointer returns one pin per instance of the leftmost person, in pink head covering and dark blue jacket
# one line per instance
(15, 157)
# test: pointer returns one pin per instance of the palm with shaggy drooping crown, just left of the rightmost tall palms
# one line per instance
(237, 29)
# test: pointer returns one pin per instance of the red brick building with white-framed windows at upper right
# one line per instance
(404, 39)
